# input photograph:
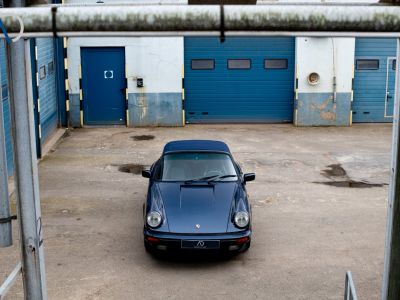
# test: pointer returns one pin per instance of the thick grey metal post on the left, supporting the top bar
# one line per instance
(26, 173)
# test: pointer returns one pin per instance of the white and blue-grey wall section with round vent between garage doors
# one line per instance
(317, 104)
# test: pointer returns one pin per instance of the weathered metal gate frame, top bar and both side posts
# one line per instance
(158, 20)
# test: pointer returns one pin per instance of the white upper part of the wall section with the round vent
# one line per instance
(318, 55)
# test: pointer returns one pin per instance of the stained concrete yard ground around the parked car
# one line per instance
(319, 209)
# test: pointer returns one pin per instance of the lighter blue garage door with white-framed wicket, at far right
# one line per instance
(374, 80)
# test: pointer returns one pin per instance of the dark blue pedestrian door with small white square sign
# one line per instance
(103, 86)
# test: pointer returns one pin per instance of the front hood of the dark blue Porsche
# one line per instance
(206, 205)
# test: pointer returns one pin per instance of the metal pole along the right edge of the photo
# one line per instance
(391, 273)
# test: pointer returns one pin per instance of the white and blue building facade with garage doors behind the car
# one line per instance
(173, 81)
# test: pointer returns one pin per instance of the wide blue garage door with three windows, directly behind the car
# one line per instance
(240, 80)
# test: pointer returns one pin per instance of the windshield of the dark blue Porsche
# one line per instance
(196, 166)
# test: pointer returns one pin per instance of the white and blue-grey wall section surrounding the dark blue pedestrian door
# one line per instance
(159, 61)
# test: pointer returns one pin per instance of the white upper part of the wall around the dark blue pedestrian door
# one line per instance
(159, 61)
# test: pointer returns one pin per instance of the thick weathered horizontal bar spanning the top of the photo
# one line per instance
(203, 18)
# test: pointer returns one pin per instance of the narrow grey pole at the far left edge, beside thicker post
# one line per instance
(5, 217)
